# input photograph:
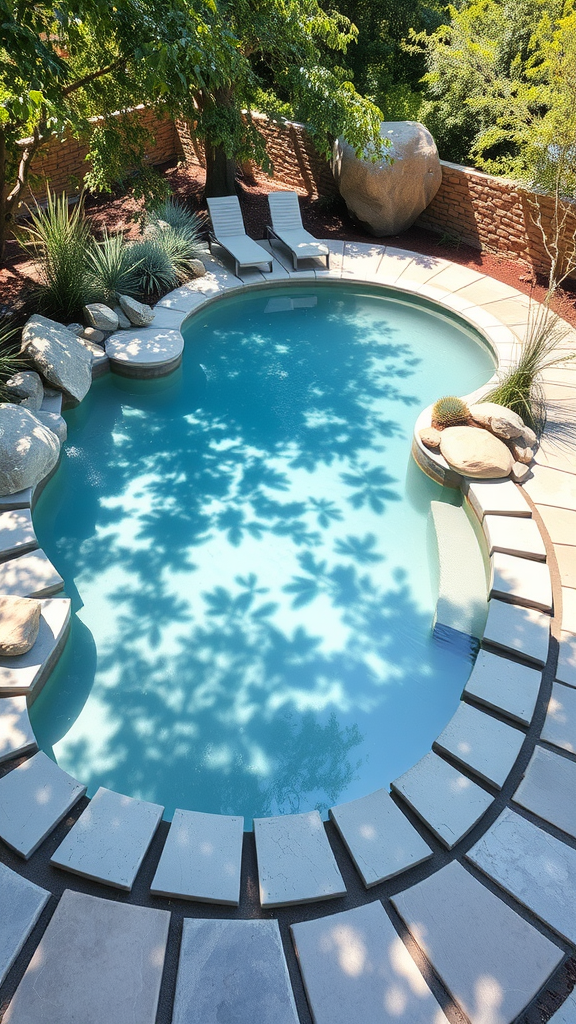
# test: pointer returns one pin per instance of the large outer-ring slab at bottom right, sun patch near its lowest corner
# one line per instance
(491, 961)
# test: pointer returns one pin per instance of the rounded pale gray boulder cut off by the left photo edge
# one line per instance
(29, 451)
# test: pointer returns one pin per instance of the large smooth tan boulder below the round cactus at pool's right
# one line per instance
(474, 452)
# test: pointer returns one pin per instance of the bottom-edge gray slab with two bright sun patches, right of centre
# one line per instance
(357, 971)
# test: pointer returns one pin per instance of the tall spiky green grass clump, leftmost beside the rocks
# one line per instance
(58, 238)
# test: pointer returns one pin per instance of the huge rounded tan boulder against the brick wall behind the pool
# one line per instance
(388, 196)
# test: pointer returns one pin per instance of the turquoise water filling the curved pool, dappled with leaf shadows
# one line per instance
(246, 546)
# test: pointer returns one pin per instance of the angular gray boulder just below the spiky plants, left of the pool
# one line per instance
(59, 356)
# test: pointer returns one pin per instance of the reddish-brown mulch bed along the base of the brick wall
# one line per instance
(325, 219)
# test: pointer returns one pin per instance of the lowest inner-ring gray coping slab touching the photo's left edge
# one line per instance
(33, 799)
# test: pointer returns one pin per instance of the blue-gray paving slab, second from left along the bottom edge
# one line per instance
(233, 971)
